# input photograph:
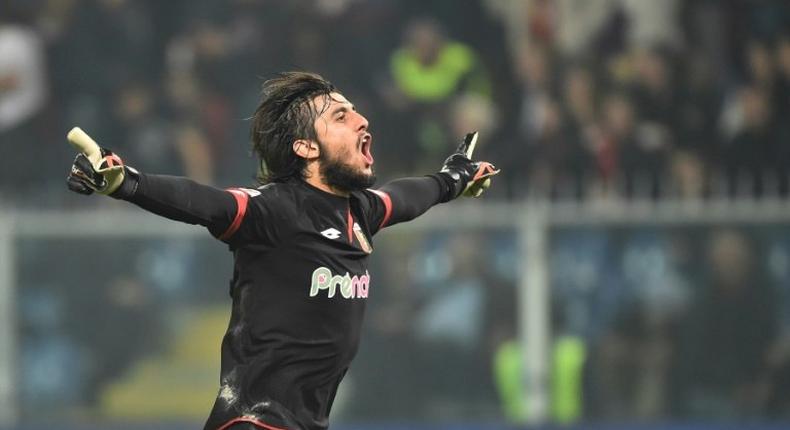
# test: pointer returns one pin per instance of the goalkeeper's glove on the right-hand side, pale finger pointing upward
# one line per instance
(468, 178)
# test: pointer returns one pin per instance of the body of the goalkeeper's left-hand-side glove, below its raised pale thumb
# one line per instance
(107, 176)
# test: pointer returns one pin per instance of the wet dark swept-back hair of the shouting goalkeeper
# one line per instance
(285, 114)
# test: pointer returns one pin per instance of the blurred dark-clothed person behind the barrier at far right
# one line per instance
(730, 328)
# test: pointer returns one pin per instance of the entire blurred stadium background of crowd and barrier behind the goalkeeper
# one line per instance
(629, 268)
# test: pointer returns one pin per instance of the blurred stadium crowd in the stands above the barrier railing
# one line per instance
(575, 99)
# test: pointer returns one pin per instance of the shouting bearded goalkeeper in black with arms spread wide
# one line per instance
(300, 243)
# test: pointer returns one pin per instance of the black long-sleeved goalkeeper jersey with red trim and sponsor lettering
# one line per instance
(299, 287)
